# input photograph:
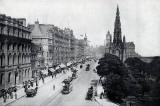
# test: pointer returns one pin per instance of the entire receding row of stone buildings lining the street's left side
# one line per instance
(26, 49)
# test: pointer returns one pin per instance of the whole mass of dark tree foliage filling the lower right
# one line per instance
(131, 78)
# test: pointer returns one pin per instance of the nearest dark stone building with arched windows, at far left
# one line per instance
(15, 49)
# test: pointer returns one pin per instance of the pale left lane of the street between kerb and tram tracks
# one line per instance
(43, 93)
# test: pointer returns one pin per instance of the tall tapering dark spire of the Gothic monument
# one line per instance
(117, 29)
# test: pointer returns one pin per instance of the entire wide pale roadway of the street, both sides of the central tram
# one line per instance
(46, 96)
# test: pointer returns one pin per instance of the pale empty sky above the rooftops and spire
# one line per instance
(140, 19)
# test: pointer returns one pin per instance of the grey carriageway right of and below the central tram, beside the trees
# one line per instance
(80, 88)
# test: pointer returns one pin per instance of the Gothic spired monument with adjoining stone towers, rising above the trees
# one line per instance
(117, 46)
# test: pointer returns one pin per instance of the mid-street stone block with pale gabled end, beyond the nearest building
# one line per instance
(57, 44)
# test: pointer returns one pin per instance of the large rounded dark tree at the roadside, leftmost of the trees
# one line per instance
(111, 67)
